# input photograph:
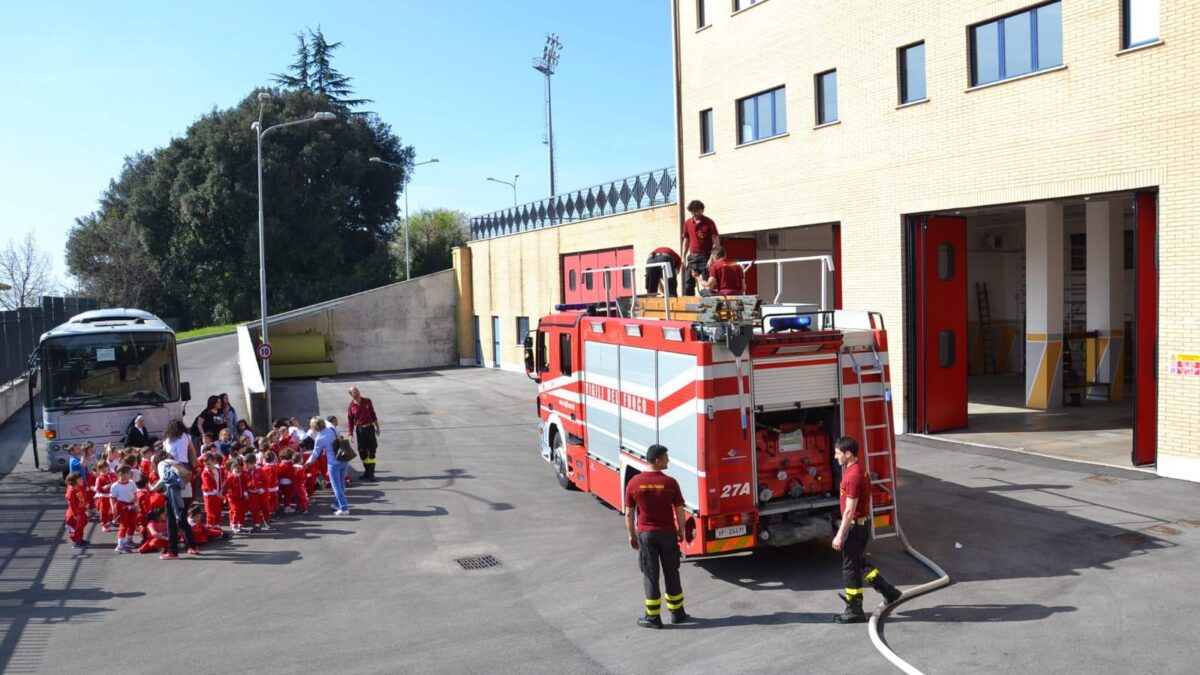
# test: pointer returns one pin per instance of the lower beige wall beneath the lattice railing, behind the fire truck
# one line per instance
(520, 274)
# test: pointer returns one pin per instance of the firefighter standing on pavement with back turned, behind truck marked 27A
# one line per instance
(661, 521)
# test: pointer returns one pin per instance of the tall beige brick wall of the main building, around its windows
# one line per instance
(1102, 123)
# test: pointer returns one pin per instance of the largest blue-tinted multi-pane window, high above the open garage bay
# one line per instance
(1017, 45)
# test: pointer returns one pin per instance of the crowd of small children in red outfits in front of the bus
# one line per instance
(250, 481)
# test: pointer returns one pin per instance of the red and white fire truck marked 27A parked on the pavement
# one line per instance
(747, 398)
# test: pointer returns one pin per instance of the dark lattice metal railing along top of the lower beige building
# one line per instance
(641, 192)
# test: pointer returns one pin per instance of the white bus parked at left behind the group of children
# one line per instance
(99, 372)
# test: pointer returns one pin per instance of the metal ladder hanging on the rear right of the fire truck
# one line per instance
(863, 369)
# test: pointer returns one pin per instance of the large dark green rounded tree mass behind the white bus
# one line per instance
(185, 216)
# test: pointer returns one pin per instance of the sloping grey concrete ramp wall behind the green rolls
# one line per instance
(403, 326)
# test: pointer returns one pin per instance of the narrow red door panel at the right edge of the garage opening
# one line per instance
(1145, 369)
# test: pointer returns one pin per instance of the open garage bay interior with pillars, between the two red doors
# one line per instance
(1090, 416)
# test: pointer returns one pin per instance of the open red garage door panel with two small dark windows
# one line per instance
(940, 280)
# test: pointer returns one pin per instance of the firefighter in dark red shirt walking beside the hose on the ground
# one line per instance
(854, 503)
